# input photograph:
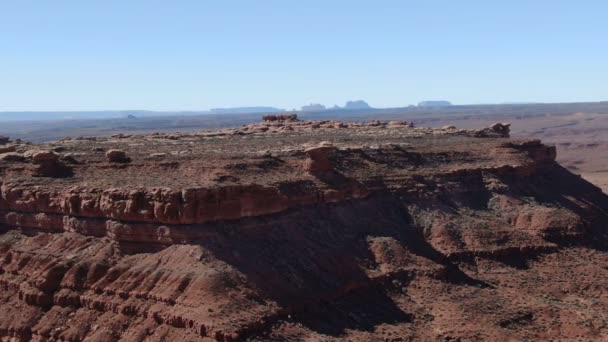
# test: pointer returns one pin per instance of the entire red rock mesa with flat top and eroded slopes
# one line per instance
(292, 230)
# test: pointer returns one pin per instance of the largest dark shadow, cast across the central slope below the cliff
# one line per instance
(312, 261)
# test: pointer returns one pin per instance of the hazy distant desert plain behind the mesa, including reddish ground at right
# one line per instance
(579, 130)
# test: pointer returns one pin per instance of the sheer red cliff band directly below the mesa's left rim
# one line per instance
(160, 205)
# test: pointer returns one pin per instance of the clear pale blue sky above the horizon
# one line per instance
(197, 54)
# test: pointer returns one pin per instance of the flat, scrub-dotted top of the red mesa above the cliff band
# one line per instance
(266, 153)
